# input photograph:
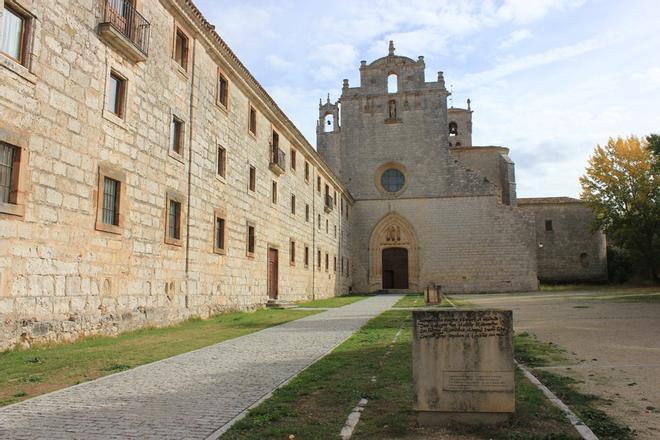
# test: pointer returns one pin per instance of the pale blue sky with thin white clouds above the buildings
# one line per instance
(549, 79)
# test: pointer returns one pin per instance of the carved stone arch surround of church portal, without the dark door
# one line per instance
(393, 230)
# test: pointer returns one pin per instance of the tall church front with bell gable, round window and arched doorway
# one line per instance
(456, 210)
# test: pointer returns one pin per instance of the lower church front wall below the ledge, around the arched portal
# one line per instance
(464, 244)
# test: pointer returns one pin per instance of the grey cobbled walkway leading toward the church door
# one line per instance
(191, 395)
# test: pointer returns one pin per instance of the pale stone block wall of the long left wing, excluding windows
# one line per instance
(62, 277)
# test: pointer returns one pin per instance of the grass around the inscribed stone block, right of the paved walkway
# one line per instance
(316, 403)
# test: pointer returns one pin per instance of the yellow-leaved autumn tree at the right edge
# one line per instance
(622, 186)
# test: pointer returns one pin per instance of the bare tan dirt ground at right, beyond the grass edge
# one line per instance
(614, 347)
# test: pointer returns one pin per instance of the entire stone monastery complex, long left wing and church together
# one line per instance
(146, 177)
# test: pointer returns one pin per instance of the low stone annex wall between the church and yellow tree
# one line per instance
(567, 249)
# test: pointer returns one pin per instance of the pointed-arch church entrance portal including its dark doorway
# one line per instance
(393, 255)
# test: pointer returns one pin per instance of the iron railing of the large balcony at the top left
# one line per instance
(122, 16)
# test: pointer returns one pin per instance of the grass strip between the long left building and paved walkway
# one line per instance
(38, 370)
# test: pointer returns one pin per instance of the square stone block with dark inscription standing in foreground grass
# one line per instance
(463, 367)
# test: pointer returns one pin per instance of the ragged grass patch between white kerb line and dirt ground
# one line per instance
(534, 354)
